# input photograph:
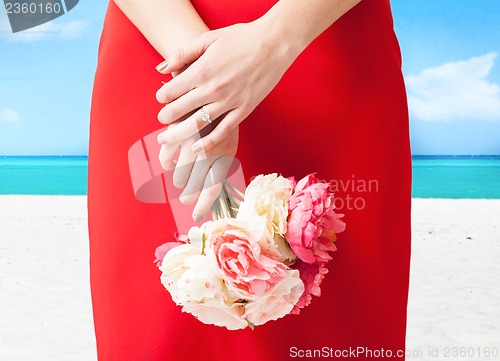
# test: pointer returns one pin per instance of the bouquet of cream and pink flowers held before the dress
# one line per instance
(259, 258)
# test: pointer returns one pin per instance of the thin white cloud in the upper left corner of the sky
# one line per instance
(60, 30)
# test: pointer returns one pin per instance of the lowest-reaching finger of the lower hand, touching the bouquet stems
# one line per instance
(212, 187)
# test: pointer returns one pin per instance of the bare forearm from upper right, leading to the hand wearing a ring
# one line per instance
(296, 23)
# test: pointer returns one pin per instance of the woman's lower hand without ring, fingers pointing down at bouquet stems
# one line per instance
(200, 175)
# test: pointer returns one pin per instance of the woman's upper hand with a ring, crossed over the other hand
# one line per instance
(229, 71)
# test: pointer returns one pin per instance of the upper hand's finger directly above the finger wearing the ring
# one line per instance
(189, 102)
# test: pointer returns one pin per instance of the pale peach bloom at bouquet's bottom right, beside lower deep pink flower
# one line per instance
(278, 303)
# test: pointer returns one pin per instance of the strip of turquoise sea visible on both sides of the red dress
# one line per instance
(433, 176)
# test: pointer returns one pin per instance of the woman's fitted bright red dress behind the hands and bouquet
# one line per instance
(340, 111)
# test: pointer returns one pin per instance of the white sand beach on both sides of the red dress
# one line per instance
(45, 309)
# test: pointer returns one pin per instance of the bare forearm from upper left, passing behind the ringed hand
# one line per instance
(167, 24)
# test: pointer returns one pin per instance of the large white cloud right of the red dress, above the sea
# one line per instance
(456, 90)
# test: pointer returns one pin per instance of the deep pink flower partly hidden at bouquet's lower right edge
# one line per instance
(312, 275)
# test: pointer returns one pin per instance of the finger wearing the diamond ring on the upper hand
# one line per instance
(192, 125)
